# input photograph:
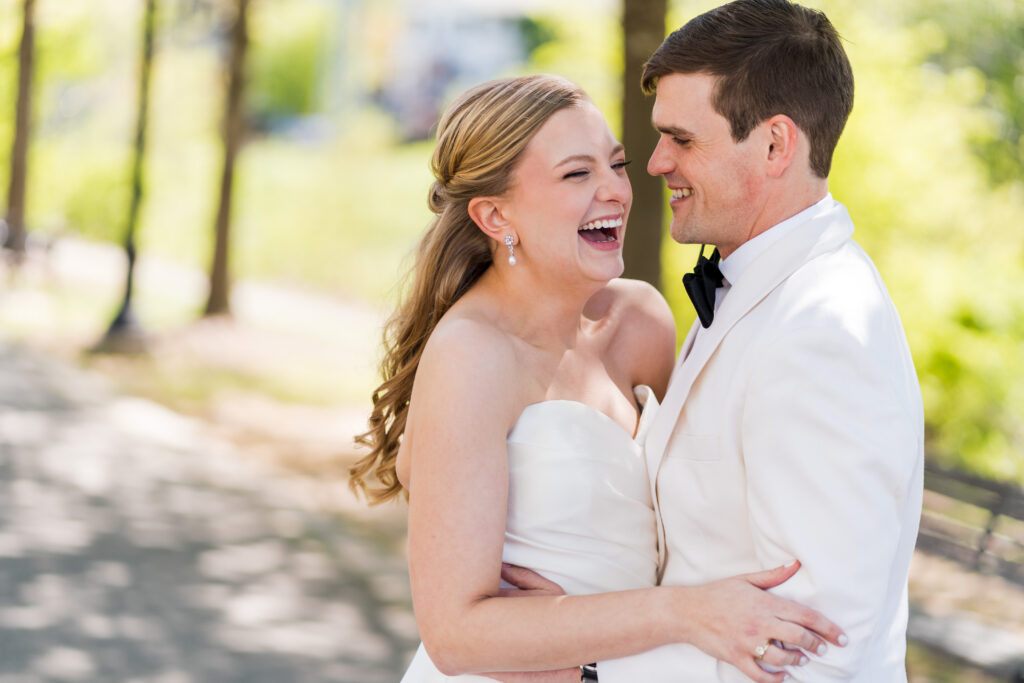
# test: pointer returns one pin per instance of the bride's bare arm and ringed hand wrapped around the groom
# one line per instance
(463, 405)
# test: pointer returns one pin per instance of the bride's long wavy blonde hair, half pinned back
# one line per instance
(481, 139)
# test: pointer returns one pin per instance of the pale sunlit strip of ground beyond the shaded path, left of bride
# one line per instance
(289, 346)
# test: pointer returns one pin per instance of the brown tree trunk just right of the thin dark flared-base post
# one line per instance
(234, 132)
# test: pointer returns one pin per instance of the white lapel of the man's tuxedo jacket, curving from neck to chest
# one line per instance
(821, 234)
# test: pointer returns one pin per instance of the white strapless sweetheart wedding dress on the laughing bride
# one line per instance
(580, 510)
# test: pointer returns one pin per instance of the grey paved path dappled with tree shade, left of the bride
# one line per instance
(137, 547)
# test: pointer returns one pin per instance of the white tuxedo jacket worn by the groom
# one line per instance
(793, 430)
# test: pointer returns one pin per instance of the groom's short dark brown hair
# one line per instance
(770, 57)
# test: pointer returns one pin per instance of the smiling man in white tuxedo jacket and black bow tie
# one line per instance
(793, 426)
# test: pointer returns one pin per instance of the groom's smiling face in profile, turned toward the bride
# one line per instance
(715, 182)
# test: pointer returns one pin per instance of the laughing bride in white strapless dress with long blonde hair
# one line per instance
(520, 375)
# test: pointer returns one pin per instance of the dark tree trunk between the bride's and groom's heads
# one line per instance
(644, 29)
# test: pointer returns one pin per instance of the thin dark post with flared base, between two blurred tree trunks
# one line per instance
(124, 333)
